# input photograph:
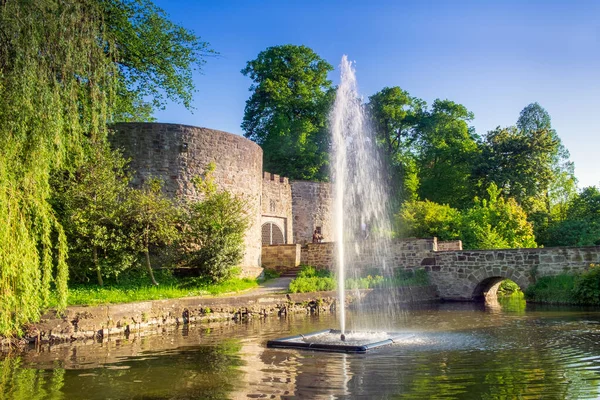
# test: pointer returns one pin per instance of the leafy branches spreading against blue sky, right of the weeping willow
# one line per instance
(155, 57)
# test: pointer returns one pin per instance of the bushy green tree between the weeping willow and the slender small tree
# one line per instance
(91, 203)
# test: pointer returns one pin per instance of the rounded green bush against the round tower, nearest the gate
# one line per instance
(215, 227)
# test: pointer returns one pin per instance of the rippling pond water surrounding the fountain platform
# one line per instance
(456, 351)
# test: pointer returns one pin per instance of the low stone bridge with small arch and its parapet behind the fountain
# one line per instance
(458, 274)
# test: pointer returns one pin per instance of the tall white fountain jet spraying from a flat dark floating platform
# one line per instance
(362, 223)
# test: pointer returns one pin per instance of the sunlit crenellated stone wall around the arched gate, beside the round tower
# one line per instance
(276, 204)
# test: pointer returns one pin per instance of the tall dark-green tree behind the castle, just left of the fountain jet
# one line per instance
(287, 111)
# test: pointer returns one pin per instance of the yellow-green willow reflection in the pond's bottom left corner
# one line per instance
(20, 383)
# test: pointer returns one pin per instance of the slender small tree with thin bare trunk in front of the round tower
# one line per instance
(152, 220)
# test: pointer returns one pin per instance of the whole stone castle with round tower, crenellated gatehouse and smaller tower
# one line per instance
(282, 212)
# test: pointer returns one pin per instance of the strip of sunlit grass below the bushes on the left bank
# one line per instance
(140, 289)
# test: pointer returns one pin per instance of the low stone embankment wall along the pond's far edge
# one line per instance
(114, 320)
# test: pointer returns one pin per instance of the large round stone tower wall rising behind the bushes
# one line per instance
(177, 153)
